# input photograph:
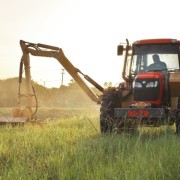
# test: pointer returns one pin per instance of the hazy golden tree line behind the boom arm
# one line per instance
(71, 96)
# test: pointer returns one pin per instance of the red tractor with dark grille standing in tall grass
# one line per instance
(150, 93)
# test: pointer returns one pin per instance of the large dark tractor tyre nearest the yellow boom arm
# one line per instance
(110, 100)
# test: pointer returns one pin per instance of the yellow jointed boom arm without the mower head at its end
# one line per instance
(57, 53)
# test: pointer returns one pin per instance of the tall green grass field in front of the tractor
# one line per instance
(71, 147)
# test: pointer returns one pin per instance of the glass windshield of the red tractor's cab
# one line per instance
(142, 60)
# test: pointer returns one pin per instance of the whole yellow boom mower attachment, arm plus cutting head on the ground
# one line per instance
(21, 115)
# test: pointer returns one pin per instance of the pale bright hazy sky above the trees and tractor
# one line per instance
(88, 31)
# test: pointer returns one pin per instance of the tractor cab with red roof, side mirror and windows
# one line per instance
(139, 56)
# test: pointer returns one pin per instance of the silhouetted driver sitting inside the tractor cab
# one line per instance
(157, 65)
